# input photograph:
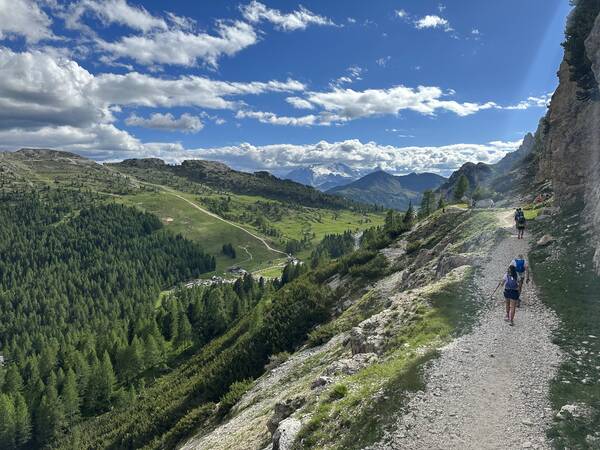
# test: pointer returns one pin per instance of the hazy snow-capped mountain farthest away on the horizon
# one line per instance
(324, 176)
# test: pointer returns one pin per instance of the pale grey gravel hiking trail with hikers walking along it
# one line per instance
(489, 388)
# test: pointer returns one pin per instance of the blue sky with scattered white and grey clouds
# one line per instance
(403, 85)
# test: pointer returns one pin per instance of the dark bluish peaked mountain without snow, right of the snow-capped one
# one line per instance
(390, 191)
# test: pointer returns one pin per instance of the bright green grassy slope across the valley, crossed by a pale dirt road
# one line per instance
(295, 221)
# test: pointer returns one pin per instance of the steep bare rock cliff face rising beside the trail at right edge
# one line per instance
(569, 154)
